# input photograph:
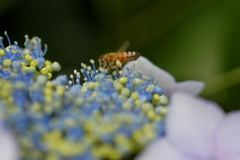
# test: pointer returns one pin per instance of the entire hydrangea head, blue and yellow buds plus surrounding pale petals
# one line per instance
(93, 115)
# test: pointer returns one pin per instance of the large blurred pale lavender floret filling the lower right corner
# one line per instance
(197, 129)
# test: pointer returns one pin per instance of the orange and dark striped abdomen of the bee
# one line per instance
(128, 56)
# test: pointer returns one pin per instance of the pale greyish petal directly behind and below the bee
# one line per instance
(147, 68)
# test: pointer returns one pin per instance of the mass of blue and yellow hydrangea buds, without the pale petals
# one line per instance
(91, 115)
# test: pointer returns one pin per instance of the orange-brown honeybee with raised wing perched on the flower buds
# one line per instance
(115, 60)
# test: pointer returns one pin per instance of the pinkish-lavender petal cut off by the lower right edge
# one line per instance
(227, 139)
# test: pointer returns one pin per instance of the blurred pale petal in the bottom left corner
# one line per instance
(8, 145)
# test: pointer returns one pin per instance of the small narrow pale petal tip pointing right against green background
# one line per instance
(192, 87)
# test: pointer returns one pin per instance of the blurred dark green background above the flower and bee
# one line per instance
(196, 40)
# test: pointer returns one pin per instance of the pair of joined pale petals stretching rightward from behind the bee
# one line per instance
(164, 79)
